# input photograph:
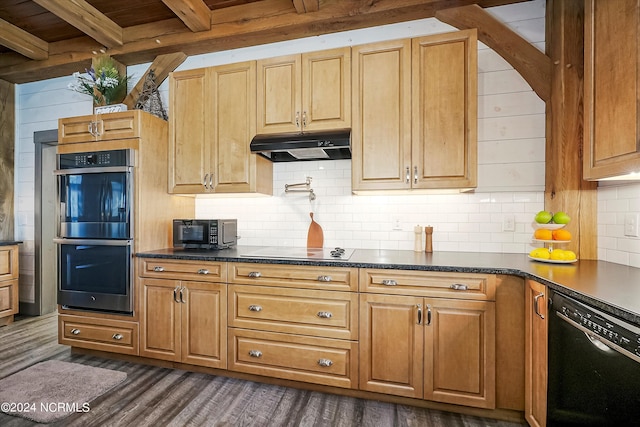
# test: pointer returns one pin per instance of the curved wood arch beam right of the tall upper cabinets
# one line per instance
(533, 65)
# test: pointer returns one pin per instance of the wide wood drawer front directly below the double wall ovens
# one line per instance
(98, 334)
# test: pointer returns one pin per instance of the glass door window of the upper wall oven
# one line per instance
(95, 205)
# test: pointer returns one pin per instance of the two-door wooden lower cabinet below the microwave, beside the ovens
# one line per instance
(184, 321)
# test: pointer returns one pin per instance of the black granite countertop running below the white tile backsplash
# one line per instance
(613, 288)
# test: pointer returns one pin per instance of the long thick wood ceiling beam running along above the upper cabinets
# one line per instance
(233, 27)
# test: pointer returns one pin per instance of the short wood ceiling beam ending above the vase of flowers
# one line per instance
(87, 19)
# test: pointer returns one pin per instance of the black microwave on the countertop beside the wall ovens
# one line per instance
(205, 233)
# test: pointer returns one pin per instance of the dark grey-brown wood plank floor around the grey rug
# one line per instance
(154, 396)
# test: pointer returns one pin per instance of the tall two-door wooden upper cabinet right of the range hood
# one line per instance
(415, 113)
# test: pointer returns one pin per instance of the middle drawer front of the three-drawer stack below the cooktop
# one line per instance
(304, 312)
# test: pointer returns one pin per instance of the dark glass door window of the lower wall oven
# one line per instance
(103, 269)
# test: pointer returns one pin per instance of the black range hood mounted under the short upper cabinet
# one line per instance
(293, 147)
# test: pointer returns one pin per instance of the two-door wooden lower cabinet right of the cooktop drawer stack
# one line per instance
(428, 348)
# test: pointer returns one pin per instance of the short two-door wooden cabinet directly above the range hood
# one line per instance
(299, 93)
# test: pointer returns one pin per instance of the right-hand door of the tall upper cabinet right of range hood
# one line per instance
(444, 108)
